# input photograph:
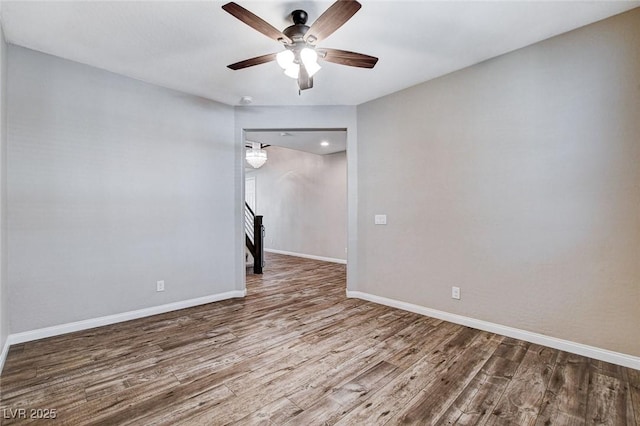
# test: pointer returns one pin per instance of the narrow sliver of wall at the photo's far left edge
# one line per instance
(4, 306)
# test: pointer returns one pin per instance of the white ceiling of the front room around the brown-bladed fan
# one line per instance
(186, 45)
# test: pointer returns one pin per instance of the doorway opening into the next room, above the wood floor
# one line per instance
(300, 192)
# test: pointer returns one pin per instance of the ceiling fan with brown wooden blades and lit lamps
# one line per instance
(299, 59)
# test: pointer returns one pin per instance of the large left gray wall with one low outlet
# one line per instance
(113, 184)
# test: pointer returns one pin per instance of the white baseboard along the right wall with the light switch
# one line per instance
(541, 339)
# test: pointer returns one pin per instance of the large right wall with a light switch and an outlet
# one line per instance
(517, 180)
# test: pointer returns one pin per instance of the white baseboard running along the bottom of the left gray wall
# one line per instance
(57, 330)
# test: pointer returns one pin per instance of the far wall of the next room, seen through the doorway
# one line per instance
(303, 198)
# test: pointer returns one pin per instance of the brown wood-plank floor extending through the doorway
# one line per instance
(297, 351)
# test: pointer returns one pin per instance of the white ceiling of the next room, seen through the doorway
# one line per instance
(302, 140)
